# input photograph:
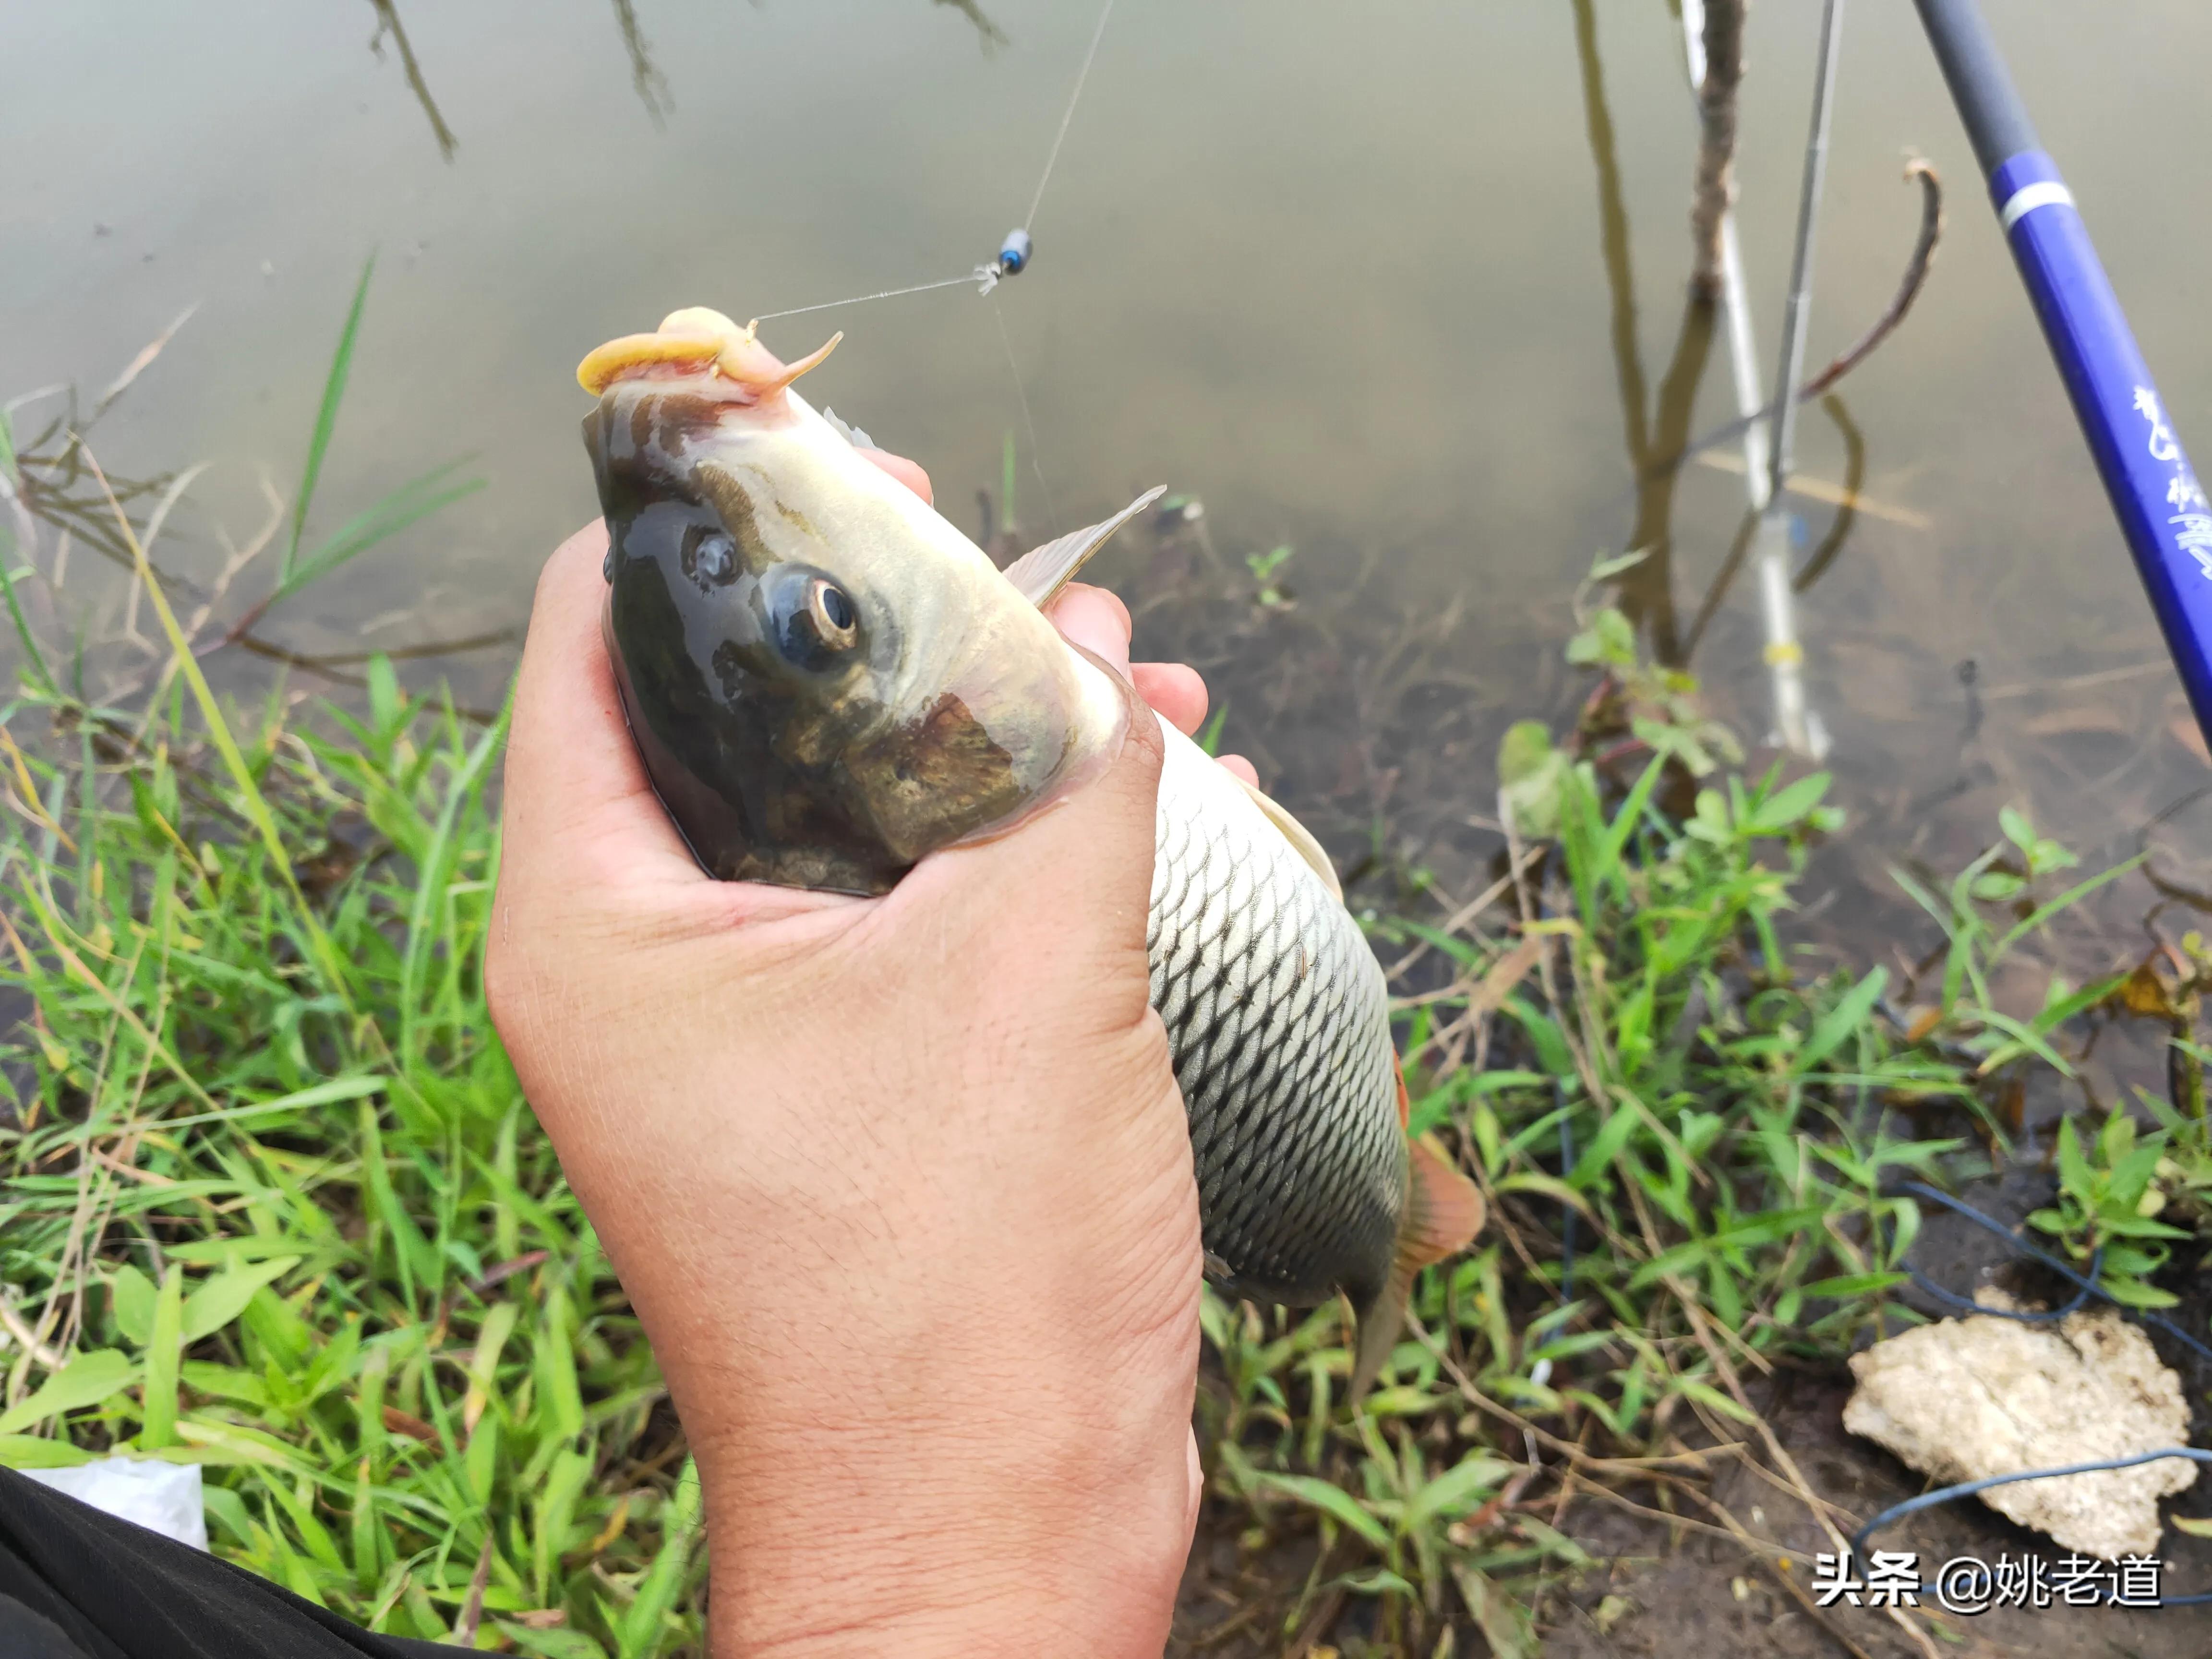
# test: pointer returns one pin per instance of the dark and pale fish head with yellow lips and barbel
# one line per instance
(826, 680)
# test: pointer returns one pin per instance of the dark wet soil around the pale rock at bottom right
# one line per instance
(1678, 1592)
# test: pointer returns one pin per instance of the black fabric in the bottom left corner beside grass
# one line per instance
(83, 1585)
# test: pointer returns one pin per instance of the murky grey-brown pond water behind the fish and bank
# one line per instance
(1395, 286)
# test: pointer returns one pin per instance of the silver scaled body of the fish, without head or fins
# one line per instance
(1280, 1032)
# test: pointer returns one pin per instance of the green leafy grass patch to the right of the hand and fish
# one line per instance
(1647, 1050)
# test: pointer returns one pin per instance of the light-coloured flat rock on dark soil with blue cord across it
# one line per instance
(1992, 1397)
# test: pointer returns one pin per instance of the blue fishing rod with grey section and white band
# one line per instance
(2156, 494)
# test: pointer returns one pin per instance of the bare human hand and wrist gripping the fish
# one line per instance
(899, 1189)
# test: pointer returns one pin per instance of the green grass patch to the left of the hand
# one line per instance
(331, 1255)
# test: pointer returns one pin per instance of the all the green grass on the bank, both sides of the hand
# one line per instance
(275, 1204)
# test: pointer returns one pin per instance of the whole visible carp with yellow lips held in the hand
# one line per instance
(828, 682)
